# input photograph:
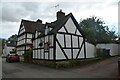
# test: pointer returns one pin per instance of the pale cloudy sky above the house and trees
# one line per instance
(12, 11)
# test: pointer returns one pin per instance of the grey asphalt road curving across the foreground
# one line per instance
(104, 69)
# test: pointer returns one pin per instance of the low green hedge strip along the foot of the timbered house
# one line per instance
(68, 63)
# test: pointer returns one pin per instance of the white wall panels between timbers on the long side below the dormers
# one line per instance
(41, 53)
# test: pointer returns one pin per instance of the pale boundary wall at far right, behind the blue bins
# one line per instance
(113, 48)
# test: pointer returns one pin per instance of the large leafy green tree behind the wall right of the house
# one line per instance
(95, 32)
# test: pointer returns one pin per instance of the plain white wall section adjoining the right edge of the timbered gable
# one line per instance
(90, 50)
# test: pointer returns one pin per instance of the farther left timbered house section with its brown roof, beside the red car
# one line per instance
(25, 33)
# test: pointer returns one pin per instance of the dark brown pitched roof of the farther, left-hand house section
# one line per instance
(31, 26)
